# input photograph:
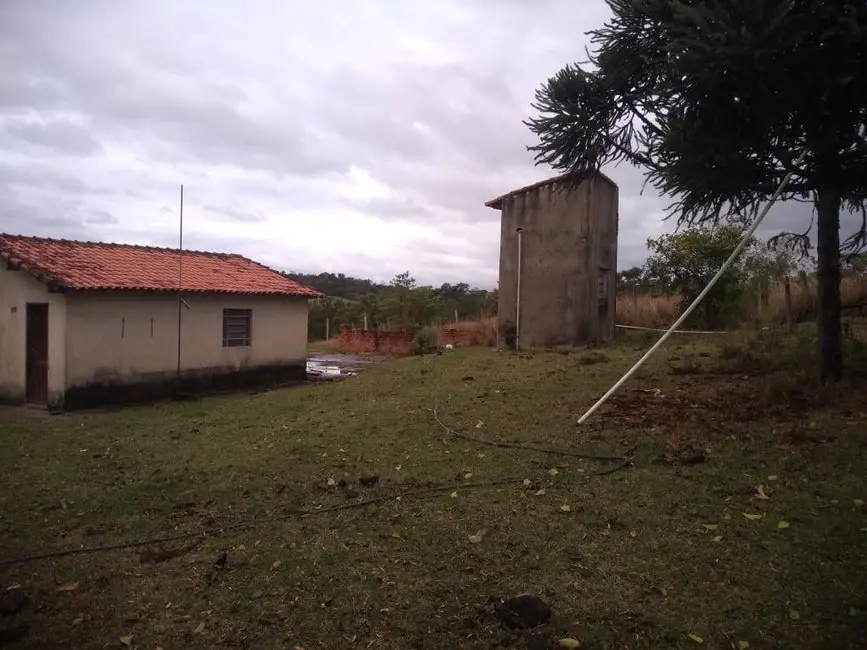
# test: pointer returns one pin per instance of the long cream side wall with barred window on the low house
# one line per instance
(128, 337)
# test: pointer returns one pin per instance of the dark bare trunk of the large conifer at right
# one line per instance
(830, 332)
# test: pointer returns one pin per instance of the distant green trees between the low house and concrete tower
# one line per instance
(398, 304)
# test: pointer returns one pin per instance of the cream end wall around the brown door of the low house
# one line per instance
(17, 288)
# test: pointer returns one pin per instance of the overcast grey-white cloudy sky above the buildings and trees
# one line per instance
(354, 136)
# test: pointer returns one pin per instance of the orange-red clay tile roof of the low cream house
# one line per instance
(76, 265)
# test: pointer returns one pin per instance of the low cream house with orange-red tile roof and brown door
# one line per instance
(84, 323)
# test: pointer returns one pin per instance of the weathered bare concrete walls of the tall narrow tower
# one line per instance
(569, 266)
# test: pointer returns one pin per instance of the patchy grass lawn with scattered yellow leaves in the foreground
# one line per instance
(641, 558)
